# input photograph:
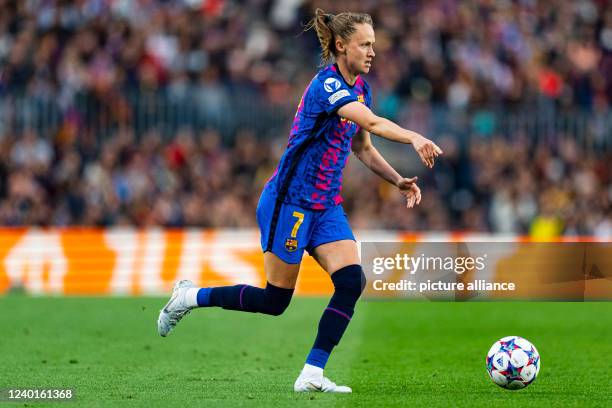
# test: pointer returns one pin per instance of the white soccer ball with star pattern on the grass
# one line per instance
(513, 363)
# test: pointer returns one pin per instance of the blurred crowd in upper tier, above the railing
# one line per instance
(464, 53)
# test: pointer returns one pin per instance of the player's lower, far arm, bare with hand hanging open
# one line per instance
(370, 156)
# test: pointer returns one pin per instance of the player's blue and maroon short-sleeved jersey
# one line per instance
(310, 171)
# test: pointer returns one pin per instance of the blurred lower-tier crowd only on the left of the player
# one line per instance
(189, 181)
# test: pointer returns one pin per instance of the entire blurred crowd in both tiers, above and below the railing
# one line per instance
(499, 54)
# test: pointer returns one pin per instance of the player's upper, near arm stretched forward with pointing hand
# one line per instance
(366, 119)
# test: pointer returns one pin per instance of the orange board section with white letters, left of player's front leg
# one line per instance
(136, 262)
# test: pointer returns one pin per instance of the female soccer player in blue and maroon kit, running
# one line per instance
(300, 209)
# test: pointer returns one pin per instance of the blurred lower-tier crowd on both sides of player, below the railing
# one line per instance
(494, 185)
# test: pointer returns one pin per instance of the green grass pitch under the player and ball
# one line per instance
(421, 354)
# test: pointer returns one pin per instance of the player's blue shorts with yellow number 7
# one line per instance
(297, 229)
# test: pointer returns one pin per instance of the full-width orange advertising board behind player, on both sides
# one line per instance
(126, 261)
